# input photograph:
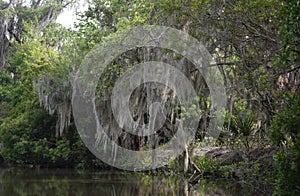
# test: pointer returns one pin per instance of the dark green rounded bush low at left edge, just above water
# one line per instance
(28, 138)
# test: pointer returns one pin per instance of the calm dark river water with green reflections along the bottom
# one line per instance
(70, 182)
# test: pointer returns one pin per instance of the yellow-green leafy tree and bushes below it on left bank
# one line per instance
(27, 130)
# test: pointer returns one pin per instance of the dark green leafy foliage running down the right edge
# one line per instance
(285, 126)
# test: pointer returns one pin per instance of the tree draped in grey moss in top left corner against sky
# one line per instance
(15, 14)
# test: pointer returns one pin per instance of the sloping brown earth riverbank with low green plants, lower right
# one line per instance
(254, 167)
